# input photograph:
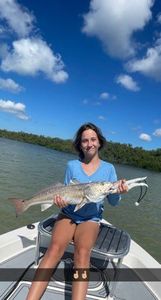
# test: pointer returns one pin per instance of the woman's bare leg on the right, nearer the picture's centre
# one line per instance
(84, 239)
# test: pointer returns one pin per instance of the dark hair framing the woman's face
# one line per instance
(78, 136)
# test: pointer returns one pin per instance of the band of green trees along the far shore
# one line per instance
(112, 152)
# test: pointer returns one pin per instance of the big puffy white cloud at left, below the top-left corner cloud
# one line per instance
(31, 56)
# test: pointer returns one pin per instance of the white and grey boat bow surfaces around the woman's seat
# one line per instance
(17, 252)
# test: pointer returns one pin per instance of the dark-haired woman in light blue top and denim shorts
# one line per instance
(83, 225)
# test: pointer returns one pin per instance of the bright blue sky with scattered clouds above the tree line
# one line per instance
(63, 63)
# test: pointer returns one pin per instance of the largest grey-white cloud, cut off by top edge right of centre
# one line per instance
(115, 24)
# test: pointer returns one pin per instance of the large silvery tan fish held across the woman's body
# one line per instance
(75, 193)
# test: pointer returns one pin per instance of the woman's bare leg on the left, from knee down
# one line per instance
(62, 234)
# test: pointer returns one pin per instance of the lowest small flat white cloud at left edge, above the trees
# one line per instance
(18, 109)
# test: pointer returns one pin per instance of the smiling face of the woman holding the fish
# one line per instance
(89, 143)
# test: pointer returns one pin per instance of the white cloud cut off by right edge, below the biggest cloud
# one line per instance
(150, 65)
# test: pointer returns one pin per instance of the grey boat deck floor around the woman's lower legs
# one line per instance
(18, 281)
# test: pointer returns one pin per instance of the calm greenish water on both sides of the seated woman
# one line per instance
(26, 168)
